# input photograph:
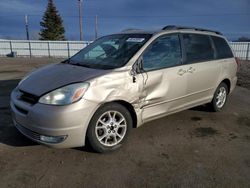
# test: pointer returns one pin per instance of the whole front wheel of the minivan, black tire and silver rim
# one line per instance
(109, 127)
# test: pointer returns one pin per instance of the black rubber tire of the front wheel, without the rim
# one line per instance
(91, 135)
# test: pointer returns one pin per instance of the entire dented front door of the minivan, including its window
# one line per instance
(163, 82)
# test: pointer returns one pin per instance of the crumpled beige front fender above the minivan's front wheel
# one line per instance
(114, 86)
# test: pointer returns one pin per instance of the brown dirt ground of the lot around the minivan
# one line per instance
(194, 148)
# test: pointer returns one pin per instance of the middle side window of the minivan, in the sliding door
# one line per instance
(198, 48)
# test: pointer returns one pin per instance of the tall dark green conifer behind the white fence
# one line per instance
(52, 24)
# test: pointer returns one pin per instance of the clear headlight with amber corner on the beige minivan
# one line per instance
(65, 95)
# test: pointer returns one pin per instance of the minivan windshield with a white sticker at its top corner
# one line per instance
(110, 52)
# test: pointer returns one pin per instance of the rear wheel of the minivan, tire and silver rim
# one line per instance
(220, 97)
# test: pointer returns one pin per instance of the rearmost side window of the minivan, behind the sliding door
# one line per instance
(222, 48)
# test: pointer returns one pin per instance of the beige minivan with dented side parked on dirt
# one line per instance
(122, 81)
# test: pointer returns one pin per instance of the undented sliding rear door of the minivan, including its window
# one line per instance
(202, 69)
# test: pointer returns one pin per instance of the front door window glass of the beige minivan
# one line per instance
(162, 53)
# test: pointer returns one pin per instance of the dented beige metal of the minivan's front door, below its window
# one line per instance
(162, 92)
